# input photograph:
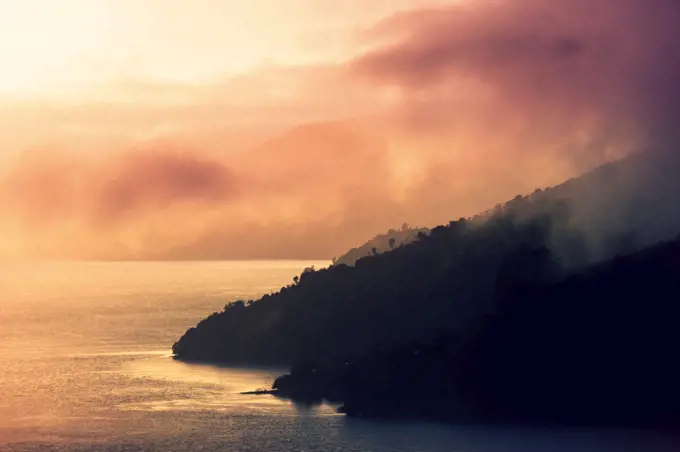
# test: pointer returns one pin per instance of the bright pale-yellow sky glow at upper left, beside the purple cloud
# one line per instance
(52, 45)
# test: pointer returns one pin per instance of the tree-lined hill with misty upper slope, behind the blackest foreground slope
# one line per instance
(449, 279)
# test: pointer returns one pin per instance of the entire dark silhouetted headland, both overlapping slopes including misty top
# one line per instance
(481, 318)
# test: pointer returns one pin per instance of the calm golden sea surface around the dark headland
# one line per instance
(85, 365)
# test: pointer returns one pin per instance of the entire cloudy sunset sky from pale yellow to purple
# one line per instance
(166, 129)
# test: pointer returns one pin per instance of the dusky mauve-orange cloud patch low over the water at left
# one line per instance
(44, 187)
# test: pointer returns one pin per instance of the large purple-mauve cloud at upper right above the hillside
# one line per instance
(600, 71)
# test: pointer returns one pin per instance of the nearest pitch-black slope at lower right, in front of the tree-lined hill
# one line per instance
(599, 347)
